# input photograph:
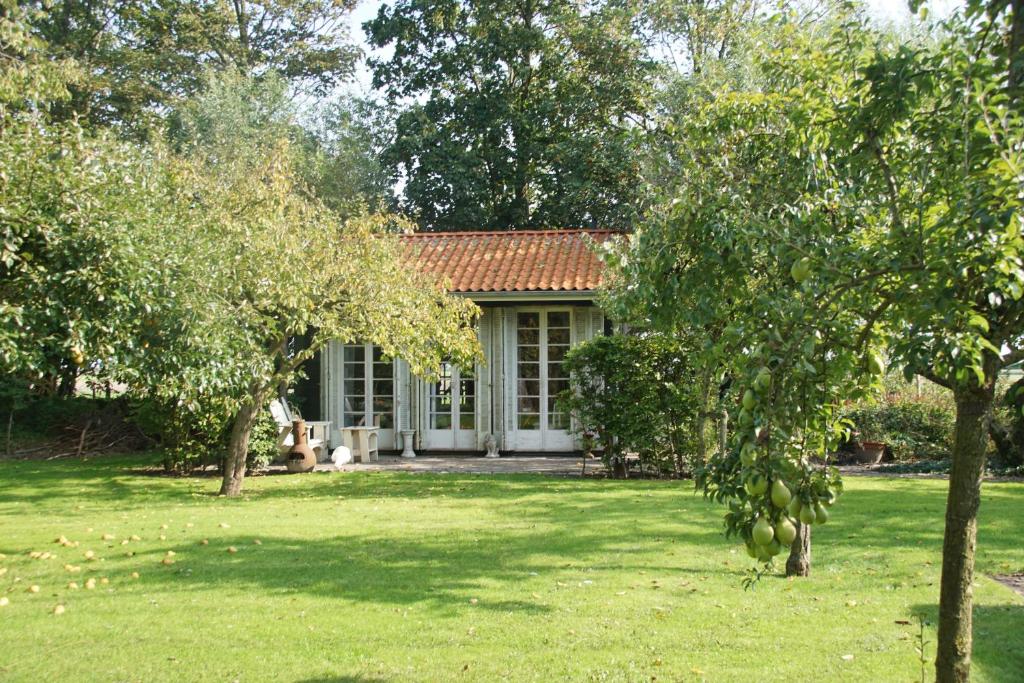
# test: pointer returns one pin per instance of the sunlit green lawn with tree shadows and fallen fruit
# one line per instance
(394, 577)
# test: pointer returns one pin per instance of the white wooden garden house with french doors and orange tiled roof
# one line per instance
(536, 290)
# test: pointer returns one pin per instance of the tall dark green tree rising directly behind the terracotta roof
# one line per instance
(513, 114)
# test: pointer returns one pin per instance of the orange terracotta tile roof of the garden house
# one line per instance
(511, 262)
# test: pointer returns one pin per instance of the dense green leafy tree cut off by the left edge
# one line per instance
(71, 290)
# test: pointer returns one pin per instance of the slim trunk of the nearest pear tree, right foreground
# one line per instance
(974, 407)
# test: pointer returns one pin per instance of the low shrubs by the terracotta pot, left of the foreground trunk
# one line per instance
(912, 431)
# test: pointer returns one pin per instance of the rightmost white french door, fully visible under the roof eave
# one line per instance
(543, 338)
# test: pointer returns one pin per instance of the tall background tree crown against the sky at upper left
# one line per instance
(142, 58)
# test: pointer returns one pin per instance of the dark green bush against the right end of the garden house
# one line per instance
(636, 395)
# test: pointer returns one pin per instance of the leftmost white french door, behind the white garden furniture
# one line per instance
(368, 391)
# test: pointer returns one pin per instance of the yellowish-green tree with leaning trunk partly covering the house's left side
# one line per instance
(257, 264)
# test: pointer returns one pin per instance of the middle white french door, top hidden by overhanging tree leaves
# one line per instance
(452, 410)
